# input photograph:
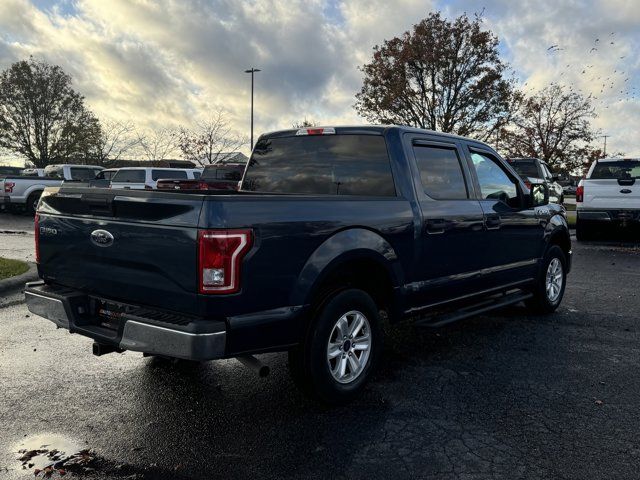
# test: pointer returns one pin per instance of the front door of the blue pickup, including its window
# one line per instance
(514, 238)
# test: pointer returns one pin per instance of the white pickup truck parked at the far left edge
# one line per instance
(24, 191)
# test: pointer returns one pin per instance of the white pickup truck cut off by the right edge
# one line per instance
(608, 197)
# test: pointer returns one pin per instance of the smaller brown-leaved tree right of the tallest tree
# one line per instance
(553, 125)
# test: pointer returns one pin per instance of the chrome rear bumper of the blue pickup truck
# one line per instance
(64, 307)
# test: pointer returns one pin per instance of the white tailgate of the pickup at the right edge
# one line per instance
(608, 194)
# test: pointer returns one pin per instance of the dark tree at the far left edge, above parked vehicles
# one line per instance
(42, 118)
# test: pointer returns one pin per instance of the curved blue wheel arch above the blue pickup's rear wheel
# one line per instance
(345, 245)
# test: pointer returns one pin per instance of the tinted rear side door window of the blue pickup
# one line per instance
(441, 172)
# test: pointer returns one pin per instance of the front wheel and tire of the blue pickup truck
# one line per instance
(546, 298)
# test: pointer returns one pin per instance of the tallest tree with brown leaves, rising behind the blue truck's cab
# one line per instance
(442, 75)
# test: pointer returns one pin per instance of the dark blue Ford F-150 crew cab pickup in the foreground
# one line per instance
(331, 227)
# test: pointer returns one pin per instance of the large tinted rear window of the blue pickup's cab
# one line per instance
(321, 165)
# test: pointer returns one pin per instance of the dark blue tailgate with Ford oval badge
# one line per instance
(138, 246)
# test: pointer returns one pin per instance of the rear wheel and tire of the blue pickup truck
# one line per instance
(325, 379)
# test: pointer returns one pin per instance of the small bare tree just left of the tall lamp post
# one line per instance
(210, 141)
